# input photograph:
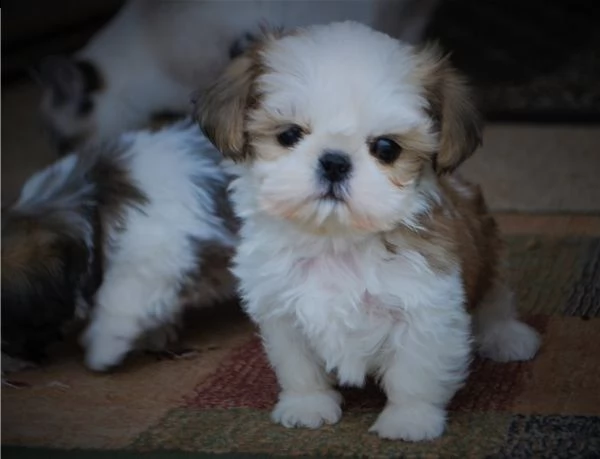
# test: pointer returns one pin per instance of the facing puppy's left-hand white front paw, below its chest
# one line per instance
(308, 410)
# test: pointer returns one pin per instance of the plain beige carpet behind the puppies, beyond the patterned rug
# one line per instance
(524, 168)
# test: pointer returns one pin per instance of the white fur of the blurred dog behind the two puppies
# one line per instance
(153, 55)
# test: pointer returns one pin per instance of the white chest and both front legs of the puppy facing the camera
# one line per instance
(353, 311)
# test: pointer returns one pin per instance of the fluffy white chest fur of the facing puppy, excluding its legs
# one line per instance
(352, 304)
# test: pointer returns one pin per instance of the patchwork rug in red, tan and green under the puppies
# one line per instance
(217, 401)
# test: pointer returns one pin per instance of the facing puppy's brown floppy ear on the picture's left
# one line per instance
(221, 110)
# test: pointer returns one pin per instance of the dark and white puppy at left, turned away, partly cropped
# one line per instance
(126, 235)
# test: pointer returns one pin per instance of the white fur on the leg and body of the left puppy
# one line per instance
(148, 260)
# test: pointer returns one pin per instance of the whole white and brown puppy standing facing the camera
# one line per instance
(360, 254)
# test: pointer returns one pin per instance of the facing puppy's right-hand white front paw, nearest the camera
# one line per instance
(416, 422)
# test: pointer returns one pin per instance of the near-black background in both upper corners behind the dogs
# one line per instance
(531, 60)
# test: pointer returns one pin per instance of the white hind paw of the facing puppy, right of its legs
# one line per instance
(509, 341)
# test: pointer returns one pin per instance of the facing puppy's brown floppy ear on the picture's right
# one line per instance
(452, 108)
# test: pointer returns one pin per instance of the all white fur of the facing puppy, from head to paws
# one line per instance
(331, 302)
